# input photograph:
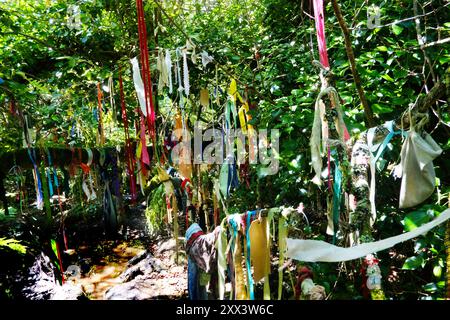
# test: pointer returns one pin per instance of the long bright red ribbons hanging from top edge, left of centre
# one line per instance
(146, 76)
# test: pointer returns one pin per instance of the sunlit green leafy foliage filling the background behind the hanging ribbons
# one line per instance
(51, 71)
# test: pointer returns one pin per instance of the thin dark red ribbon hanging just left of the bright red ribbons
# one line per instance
(128, 148)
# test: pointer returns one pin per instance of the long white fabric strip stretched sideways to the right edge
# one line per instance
(320, 251)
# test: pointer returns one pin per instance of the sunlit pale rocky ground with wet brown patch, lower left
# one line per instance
(166, 281)
